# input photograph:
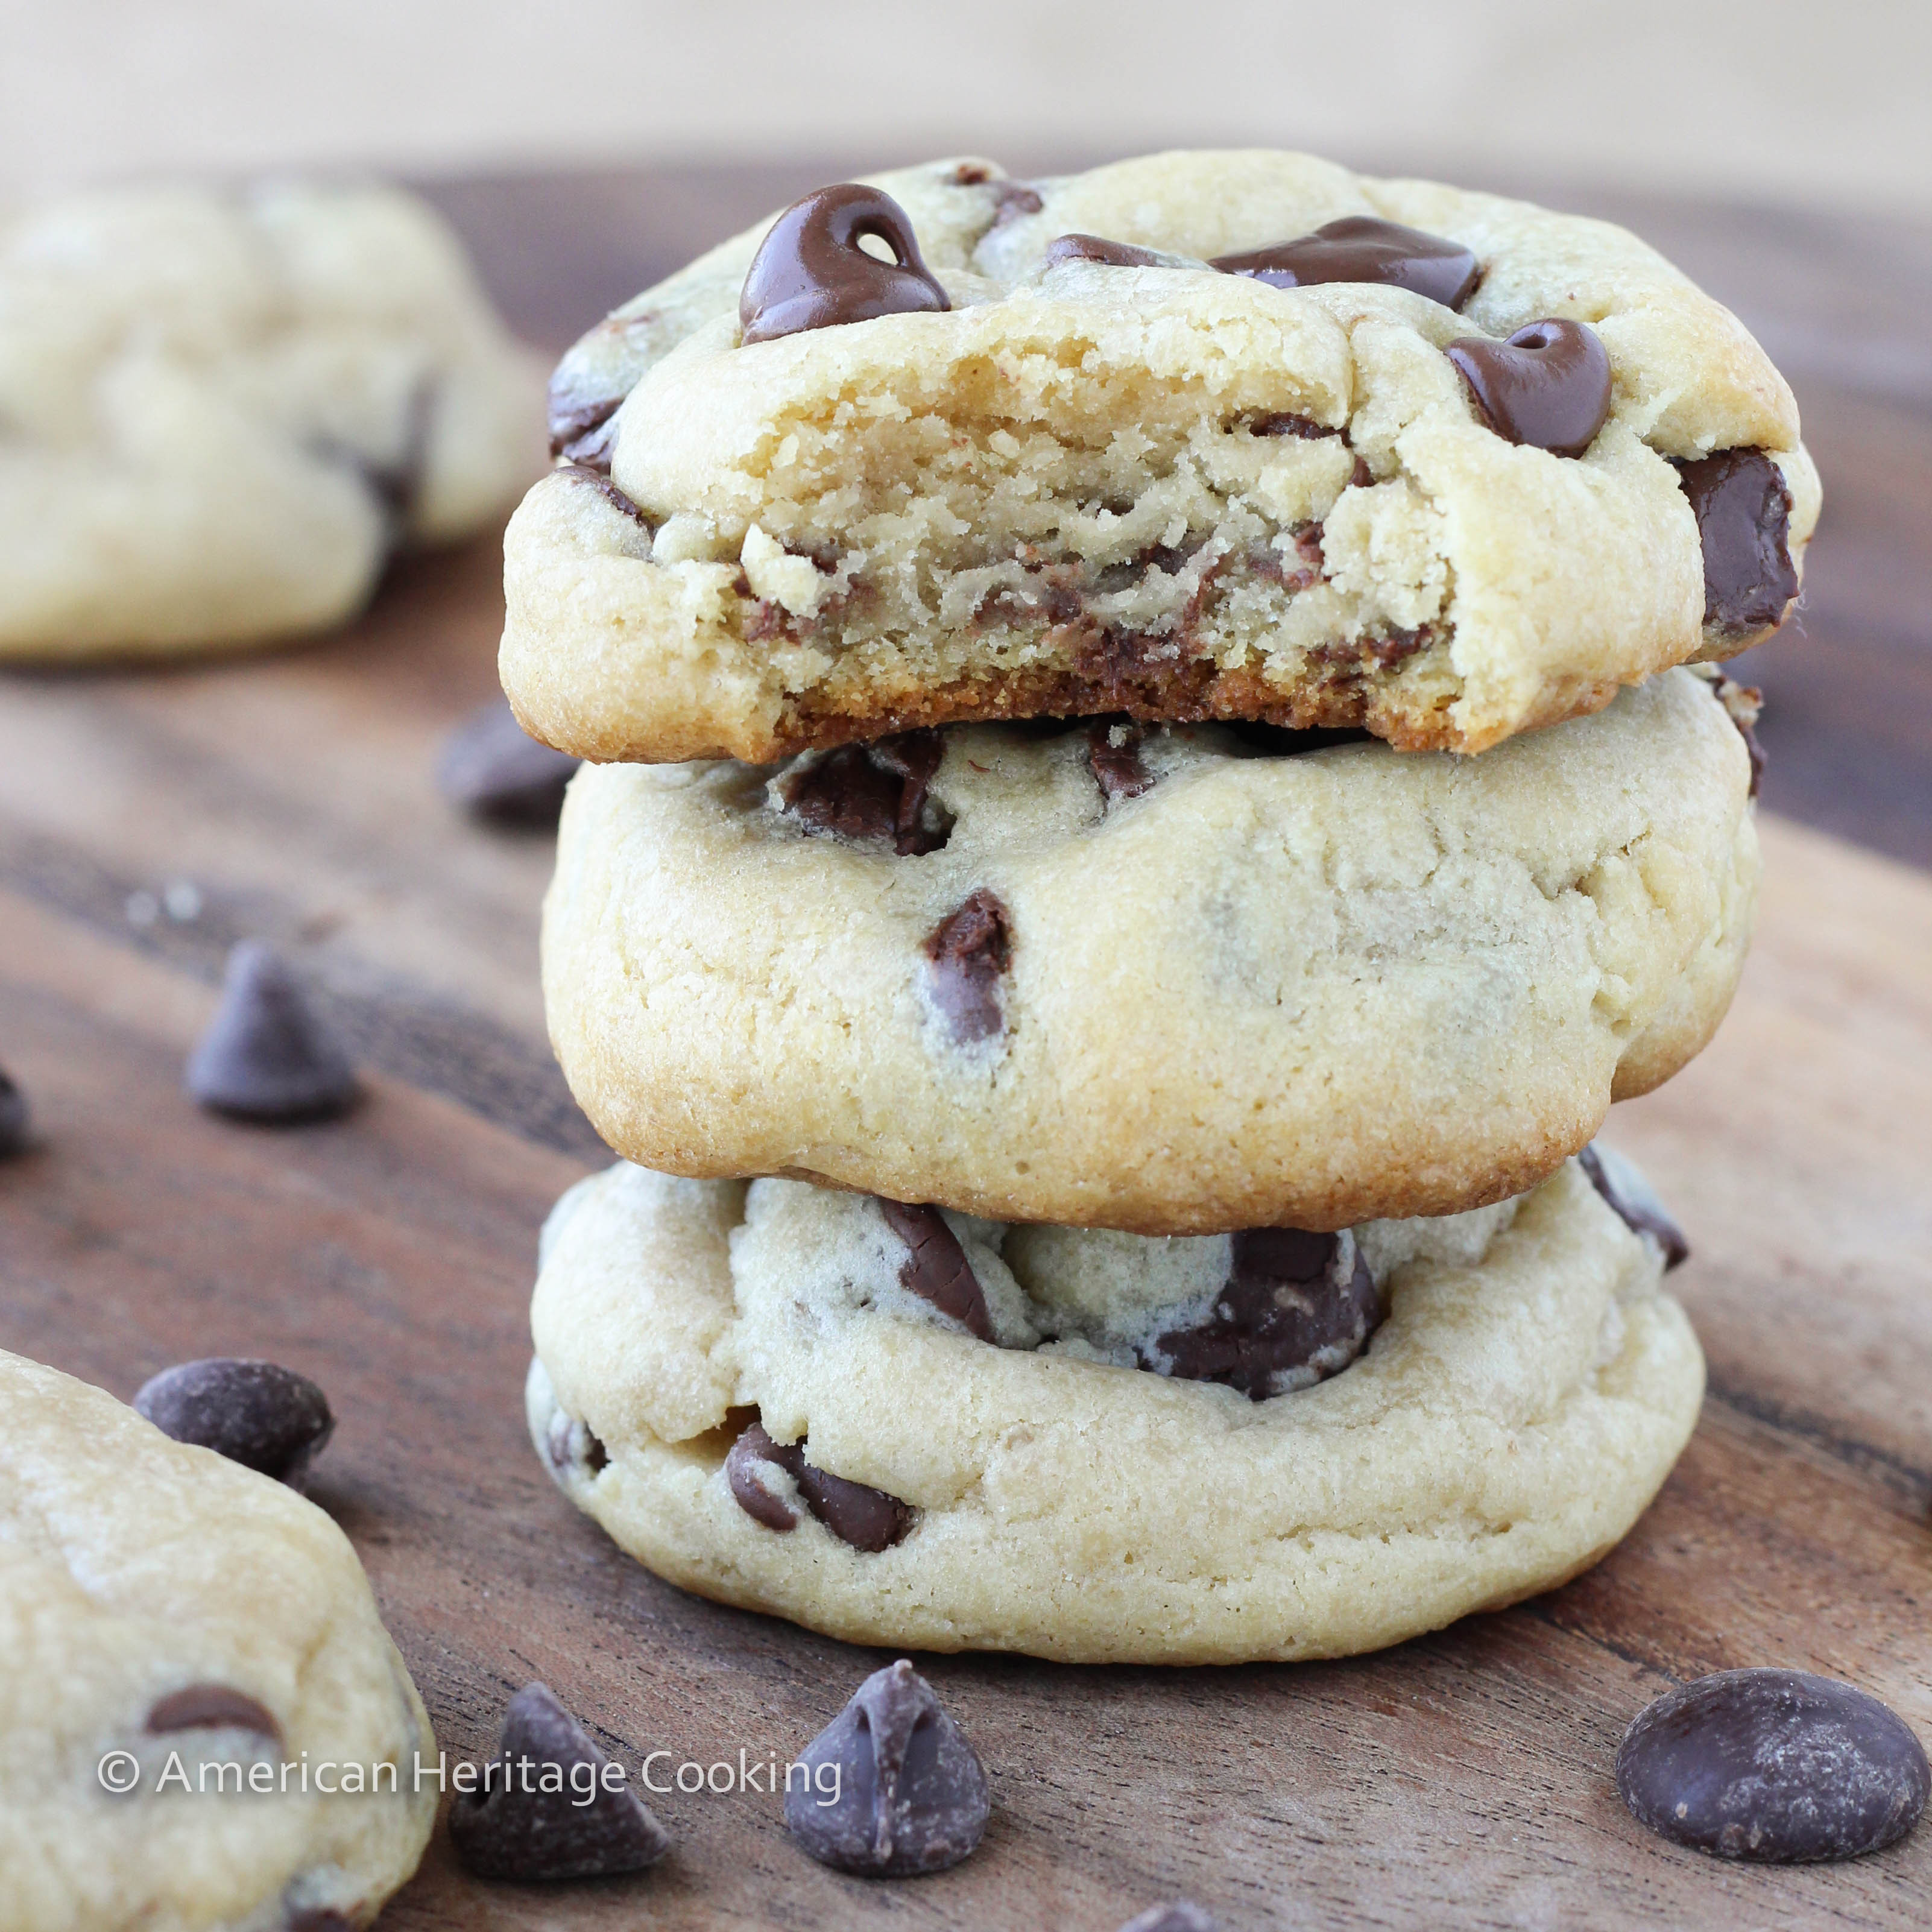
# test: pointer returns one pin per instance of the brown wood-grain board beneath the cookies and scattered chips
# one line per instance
(1462, 1780)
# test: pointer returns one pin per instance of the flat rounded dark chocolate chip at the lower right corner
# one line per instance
(1775, 1767)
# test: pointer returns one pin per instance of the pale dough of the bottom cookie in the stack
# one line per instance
(1508, 1423)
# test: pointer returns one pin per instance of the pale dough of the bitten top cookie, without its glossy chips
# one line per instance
(1160, 490)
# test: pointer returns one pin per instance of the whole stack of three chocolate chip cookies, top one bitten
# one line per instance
(1156, 776)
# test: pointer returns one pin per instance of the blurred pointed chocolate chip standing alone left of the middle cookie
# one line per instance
(268, 1056)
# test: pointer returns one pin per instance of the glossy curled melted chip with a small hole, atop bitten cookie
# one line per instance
(812, 273)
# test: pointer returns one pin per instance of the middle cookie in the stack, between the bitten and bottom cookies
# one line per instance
(1268, 990)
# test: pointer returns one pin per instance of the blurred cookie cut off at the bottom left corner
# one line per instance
(165, 1614)
